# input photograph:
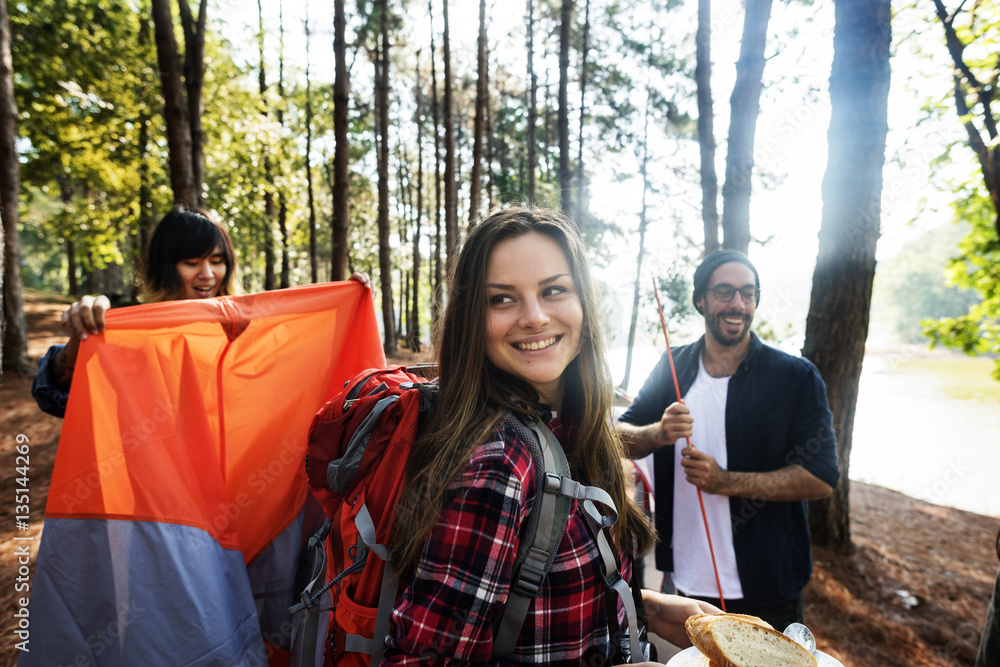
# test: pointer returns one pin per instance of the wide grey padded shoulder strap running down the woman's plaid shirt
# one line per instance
(552, 513)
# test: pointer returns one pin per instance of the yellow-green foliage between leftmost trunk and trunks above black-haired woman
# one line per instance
(83, 95)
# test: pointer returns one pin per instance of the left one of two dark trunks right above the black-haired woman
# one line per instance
(175, 109)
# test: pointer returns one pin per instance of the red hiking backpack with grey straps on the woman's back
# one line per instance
(359, 443)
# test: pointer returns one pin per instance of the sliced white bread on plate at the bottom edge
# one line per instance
(735, 640)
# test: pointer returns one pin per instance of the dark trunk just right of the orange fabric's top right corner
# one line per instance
(384, 251)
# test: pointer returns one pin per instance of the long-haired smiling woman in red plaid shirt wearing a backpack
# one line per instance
(520, 343)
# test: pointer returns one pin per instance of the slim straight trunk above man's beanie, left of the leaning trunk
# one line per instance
(706, 129)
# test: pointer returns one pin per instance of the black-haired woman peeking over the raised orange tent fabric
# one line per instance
(190, 256)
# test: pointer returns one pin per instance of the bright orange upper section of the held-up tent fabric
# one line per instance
(231, 383)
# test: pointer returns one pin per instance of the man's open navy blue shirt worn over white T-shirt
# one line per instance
(776, 415)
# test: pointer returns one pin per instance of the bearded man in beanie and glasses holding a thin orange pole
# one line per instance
(761, 444)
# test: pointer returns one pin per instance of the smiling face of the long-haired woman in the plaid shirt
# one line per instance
(534, 318)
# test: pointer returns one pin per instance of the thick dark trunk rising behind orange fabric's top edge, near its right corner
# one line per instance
(341, 176)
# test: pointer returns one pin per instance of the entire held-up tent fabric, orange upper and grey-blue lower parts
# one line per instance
(180, 462)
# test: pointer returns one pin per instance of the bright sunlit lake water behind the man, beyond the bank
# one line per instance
(927, 425)
